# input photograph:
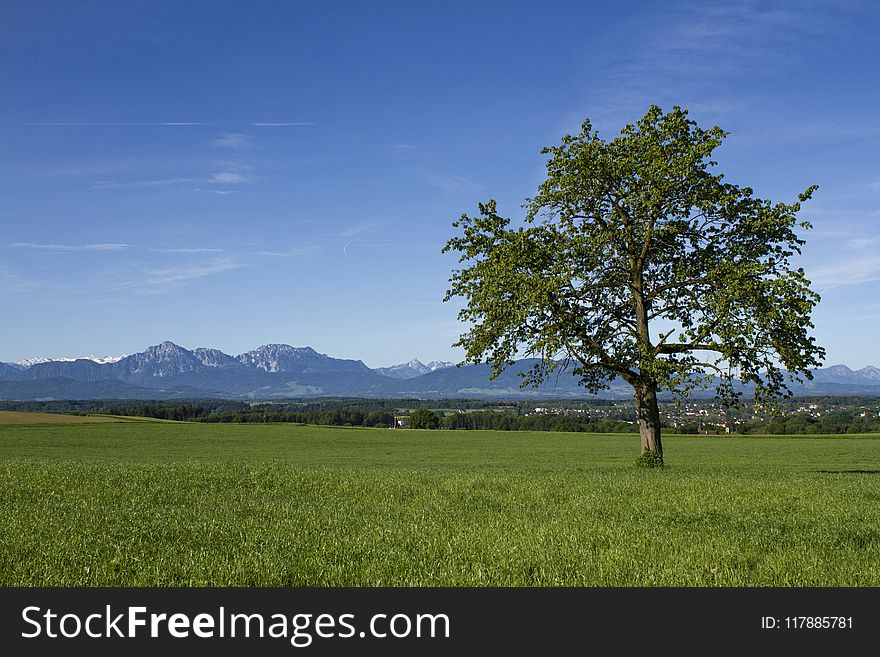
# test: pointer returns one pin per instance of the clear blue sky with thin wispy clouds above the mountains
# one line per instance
(232, 174)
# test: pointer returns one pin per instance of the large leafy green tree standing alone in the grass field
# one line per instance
(638, 261)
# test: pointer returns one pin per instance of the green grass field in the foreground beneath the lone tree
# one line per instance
(285, 505)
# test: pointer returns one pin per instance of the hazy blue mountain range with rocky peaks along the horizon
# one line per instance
(279, 371)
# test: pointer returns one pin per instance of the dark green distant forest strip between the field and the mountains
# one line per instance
(841, 415)
